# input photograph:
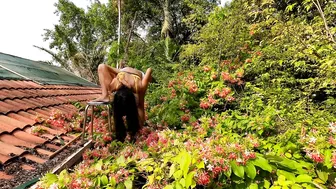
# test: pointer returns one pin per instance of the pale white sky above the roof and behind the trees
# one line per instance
(22, 24)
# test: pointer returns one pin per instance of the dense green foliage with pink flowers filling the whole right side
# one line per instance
(251, 104)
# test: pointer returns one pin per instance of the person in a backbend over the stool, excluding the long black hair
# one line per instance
(113, 79)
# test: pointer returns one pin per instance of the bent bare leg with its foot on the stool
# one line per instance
(106, 74)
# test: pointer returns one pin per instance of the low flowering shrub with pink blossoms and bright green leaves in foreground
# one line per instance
(206, 153)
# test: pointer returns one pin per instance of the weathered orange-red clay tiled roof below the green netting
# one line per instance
(20, 103)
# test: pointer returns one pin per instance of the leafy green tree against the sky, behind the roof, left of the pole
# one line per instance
(81, 38)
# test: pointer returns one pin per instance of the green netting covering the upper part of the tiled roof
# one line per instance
(41, 72)
